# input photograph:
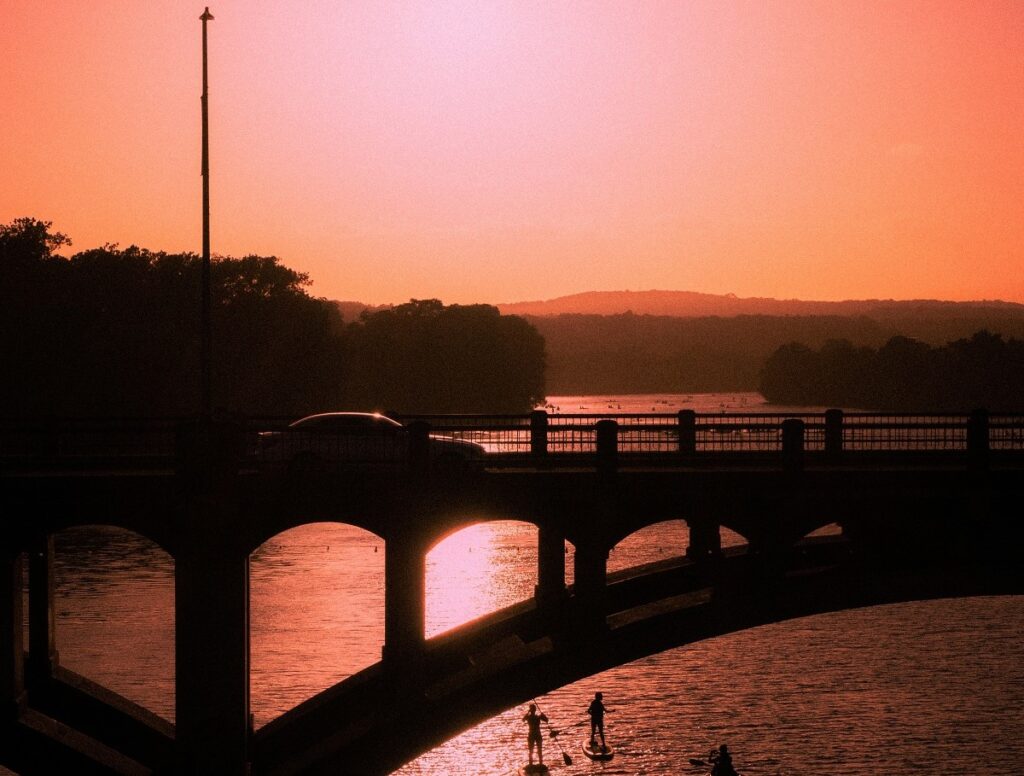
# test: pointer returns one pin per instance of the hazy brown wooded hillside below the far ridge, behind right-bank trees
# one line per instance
(628, 354)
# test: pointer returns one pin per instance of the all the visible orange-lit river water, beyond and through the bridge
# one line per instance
(930, 688)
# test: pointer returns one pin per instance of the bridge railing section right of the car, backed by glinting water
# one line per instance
(715, 436)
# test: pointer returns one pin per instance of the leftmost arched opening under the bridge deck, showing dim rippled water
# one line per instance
(91, 605)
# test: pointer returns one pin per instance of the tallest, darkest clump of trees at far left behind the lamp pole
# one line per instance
(115, 332)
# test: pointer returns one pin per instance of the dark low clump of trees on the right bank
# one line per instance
(983, 371)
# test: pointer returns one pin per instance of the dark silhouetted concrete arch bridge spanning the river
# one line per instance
(929, 507)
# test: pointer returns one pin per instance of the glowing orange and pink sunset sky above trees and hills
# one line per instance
(499, 152)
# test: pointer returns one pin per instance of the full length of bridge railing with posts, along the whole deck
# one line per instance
(831, 437)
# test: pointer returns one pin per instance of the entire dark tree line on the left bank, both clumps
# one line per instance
(115, 332)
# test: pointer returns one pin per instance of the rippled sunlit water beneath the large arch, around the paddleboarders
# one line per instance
(930, 688)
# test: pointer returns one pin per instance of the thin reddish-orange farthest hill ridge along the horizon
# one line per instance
(696, 305)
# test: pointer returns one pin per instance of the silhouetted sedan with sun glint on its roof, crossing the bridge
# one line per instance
(359, 440)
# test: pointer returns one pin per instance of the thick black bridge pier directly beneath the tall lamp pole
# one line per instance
(211, 609)
